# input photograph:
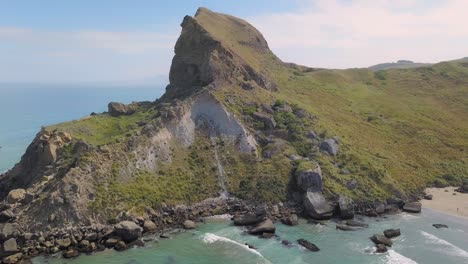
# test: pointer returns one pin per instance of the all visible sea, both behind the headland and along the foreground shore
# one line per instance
(23, 110)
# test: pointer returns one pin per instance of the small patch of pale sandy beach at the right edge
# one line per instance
(444, 201)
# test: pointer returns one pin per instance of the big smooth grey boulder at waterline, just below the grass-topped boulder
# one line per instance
(317, 206)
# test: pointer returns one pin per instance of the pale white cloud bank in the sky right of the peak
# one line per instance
(332, 33)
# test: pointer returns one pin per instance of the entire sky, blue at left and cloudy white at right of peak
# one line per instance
(132, 41)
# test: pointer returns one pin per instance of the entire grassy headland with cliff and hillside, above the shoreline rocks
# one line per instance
(236, 121)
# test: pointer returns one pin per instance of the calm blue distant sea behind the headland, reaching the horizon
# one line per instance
(25, 108)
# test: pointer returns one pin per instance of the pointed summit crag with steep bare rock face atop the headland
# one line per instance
(202, 59)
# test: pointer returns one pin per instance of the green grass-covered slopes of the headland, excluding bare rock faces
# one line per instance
(399, 130)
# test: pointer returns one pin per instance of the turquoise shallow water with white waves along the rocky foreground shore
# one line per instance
(218, 241)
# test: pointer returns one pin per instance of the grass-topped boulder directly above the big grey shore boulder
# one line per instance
(309, 176)
